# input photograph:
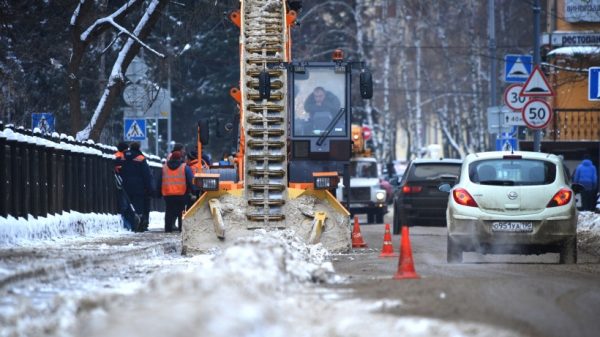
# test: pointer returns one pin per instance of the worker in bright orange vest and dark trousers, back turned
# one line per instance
(176, 185)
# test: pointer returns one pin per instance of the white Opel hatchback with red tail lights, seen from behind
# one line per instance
(517, 202)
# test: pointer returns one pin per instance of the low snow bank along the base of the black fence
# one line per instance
(23, 231)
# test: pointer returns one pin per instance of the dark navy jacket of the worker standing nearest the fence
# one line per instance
(136, 174)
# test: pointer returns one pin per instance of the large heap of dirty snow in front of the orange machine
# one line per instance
(261, 286)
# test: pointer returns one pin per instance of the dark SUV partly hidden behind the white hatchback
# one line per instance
(418, 200)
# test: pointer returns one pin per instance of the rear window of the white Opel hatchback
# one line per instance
(510, 172)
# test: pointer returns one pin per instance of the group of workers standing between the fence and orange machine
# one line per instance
(174, 184)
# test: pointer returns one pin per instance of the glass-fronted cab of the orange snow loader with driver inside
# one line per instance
(319, 115)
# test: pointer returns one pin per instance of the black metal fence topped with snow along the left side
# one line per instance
(48, 174)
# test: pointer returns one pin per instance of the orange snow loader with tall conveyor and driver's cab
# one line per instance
(294, 141)
